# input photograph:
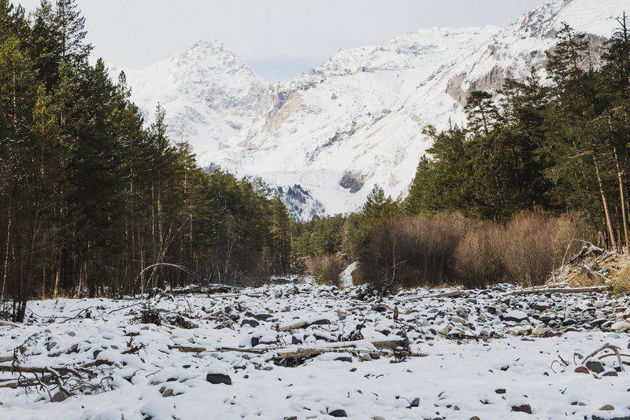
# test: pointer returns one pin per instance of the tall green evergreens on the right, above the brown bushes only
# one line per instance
(558, 144)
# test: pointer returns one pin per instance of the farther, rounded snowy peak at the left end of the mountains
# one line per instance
(209, 95)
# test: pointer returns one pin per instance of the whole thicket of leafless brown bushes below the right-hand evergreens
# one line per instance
(448, 248)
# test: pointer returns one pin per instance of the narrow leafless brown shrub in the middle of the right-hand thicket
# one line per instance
(478, 256)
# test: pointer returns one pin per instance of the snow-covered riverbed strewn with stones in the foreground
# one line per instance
(482, 355)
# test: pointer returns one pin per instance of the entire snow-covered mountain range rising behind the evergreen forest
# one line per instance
(356, 119)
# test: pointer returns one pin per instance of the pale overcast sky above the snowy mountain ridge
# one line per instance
(277, 38)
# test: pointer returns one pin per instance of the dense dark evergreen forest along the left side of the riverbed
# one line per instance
(93, 200)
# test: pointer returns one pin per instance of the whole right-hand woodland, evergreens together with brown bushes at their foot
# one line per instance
(540, 164)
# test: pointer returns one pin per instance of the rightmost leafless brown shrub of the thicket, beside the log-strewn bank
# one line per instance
(535, 243)
